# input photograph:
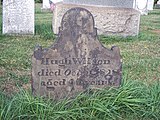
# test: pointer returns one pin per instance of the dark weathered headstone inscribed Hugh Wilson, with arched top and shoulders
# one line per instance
(76, 61)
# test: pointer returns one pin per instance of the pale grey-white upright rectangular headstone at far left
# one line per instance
(18, 16)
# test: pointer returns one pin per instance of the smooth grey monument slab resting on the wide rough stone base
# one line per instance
(113, 3)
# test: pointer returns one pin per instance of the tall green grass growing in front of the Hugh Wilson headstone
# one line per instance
(133, 100)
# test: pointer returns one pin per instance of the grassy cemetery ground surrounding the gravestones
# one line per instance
(137, 98)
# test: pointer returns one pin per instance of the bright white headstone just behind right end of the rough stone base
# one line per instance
(141, 5)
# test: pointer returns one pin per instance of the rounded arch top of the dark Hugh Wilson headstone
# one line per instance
(79, 20)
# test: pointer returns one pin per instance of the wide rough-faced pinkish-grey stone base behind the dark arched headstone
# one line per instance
(108, 20)
